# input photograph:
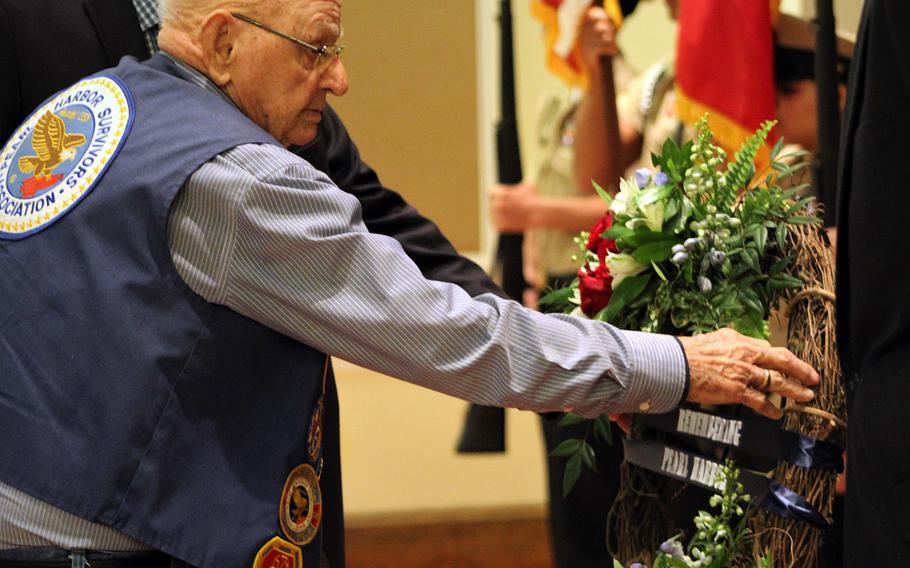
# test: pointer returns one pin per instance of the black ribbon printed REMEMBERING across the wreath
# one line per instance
(752, 435)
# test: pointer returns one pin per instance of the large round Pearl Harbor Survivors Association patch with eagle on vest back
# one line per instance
(60, 153)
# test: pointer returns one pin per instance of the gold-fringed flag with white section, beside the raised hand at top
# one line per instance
(561, 19)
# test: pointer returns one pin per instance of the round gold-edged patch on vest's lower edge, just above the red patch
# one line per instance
(300, 513)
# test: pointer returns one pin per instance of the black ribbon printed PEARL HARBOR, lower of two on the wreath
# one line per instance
(701, 471)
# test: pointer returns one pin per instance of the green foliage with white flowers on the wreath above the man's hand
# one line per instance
(709, 241)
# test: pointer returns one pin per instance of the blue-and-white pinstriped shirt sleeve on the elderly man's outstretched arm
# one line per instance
(264, 233)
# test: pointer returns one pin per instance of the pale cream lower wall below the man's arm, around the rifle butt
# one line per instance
(398, 453)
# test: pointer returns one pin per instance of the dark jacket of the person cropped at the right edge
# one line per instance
(873, 308)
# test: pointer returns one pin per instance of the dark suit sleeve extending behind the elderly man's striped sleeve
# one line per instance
(386, 213)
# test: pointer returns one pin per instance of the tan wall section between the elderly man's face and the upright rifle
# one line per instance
(412, 104)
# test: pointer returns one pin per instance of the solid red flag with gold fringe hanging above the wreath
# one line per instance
(725, 67)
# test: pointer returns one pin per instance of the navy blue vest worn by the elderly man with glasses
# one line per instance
(127, 399)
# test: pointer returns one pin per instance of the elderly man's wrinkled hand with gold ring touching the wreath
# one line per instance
(729, 368)
